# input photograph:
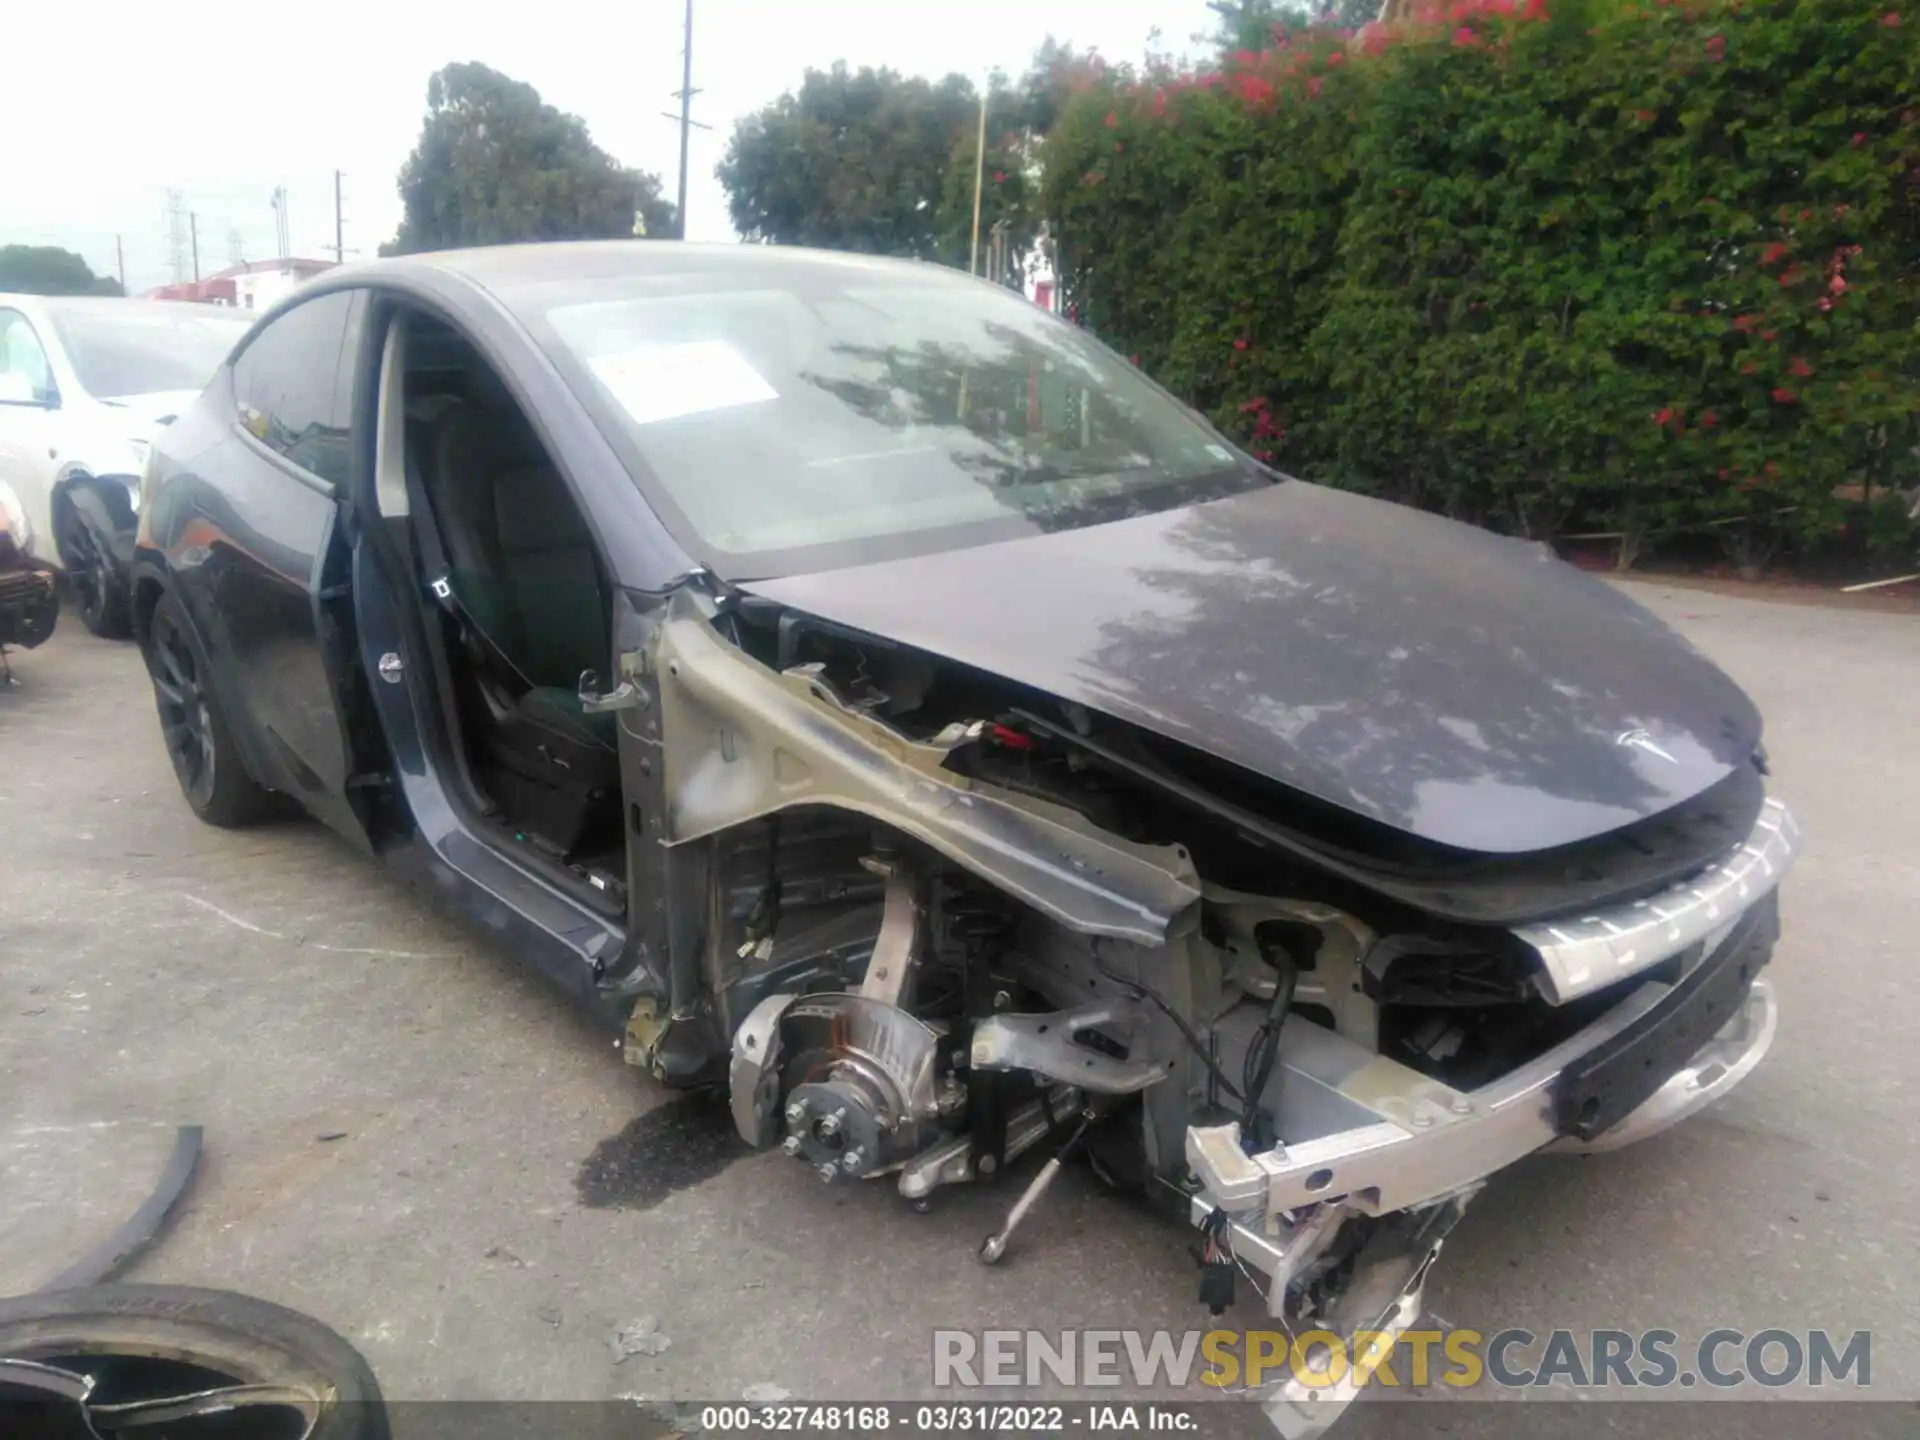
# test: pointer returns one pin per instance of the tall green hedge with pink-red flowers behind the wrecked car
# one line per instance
(1646, 270)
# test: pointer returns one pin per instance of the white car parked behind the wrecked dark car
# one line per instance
(85, 383)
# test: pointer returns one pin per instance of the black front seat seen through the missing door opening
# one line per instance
(523, 575)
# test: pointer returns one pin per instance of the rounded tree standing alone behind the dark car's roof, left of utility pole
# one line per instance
(496, 166)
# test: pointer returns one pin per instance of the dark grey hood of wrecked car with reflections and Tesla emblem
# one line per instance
(1454, 684)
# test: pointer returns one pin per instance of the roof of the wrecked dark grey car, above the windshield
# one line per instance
(508, 270)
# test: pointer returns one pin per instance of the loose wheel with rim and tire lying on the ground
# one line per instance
(178, 1362)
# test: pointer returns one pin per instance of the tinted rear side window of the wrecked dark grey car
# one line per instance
(293, 387)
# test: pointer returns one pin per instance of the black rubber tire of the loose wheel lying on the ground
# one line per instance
(172, 1341)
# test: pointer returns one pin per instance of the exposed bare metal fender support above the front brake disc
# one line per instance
(744, 742)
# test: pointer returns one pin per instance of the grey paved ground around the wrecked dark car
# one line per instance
(416, 1141)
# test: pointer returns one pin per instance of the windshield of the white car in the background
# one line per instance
(143, 350)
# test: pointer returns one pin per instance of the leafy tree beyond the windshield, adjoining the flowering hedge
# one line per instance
(882, 164)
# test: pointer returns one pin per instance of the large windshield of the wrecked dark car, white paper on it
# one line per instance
(846, 408)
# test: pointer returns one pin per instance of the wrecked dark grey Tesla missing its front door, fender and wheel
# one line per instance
(875, 696)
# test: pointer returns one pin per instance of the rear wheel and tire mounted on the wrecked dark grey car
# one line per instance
(206, 761)
